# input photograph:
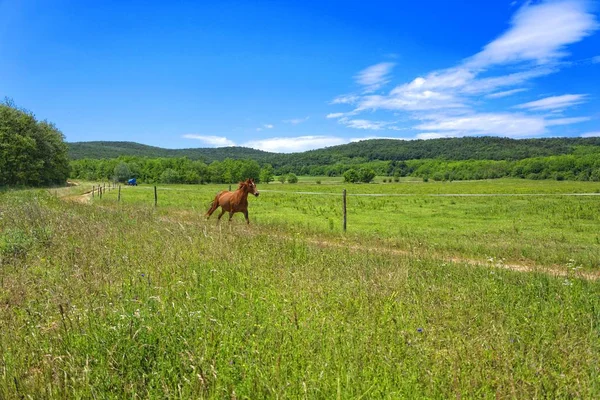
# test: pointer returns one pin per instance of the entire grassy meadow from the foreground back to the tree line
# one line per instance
(102, 299)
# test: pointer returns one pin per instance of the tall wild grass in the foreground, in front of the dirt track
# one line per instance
(130, 302)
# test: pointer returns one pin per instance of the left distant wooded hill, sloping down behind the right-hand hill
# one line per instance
(100, 150)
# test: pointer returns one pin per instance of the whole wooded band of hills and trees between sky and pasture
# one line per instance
(437, 159)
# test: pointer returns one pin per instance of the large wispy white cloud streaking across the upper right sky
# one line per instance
(534, 45)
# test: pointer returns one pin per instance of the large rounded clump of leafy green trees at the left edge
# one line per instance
(32, 152)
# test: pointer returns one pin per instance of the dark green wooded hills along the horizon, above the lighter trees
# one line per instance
(475, 148)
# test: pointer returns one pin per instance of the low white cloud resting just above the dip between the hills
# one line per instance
(294, 144)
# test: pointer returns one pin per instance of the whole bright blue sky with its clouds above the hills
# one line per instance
(292, 76)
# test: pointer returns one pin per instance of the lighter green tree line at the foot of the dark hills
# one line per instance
(585, 167)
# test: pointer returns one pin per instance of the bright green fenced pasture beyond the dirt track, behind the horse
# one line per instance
(544, 223)
